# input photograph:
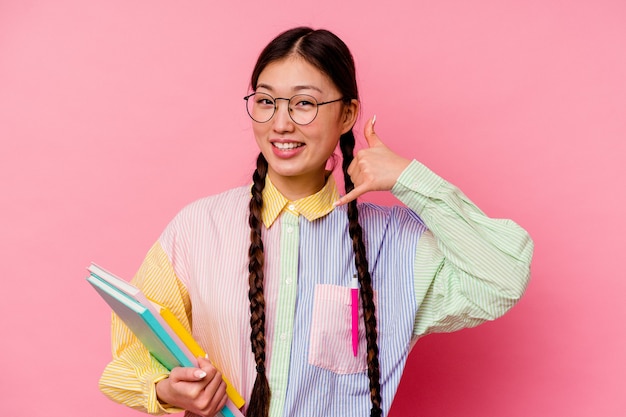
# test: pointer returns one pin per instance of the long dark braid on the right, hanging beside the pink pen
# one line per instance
(365, 280)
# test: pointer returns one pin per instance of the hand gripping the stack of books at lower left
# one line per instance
(199, 390)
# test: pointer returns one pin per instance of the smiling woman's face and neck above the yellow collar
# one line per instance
(297, 154)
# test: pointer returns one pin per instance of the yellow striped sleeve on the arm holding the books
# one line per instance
(130, 378)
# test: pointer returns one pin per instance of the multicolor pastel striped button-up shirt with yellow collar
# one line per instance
(437, 265)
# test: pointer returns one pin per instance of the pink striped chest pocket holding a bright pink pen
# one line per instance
(331, 331)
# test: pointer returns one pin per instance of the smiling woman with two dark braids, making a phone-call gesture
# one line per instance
(283, 335)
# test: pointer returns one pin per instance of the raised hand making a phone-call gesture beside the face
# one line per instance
(375, 168)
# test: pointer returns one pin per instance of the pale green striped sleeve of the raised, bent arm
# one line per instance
(468, 267)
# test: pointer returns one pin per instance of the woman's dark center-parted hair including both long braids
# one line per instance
(331, 56)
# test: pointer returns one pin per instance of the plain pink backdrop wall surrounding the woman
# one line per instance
(115, 114)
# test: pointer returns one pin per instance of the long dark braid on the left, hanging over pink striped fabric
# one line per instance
(260, 397)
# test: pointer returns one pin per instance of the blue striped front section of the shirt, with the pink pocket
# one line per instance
(326, 266)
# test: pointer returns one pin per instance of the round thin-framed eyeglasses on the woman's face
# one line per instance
(303, 108)
